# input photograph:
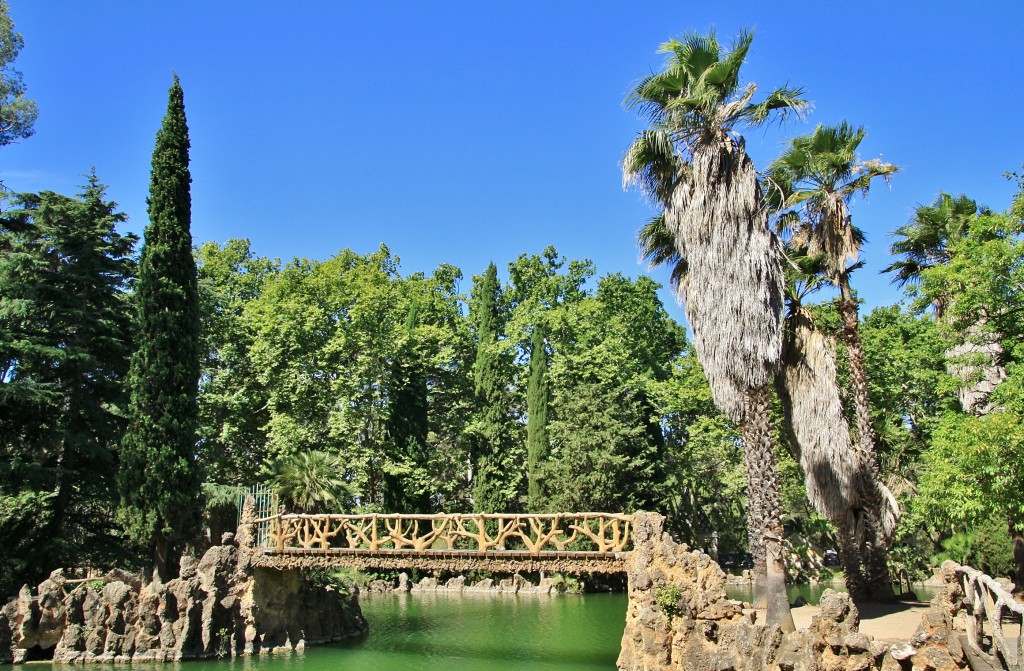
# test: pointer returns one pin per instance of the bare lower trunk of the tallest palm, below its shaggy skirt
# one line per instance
(764, 522)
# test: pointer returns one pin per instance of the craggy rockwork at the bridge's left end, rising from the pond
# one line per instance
(221, 606)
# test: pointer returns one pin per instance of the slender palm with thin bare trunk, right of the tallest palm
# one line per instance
(813, 184)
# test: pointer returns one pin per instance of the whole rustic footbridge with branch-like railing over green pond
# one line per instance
(578, 542)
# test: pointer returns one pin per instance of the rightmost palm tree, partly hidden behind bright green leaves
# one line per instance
(928, 241)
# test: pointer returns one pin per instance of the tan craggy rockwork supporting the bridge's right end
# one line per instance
(680, 618)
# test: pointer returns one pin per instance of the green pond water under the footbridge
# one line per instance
(467, 633)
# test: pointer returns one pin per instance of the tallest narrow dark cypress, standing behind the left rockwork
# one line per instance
(159, 480)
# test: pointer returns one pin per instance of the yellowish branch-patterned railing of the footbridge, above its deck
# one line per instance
(534, 534)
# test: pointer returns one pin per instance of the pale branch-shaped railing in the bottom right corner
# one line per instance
(990, 608)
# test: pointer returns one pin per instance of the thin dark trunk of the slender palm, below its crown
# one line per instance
(876, 540)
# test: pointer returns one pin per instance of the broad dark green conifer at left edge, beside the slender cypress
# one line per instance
(65, 340)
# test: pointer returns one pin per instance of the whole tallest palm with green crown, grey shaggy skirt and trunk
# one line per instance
(694, 165)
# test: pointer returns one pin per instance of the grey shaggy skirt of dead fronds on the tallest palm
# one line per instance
(734, 288)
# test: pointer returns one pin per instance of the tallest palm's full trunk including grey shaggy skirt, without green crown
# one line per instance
(734, 296)
